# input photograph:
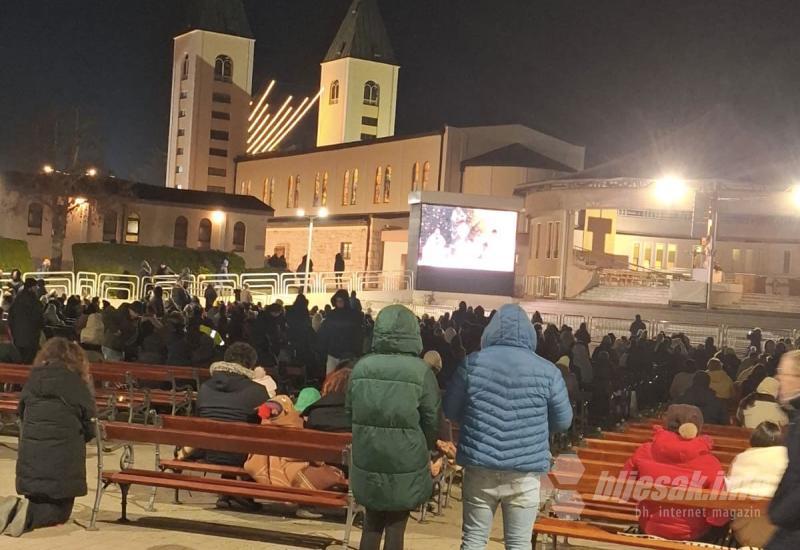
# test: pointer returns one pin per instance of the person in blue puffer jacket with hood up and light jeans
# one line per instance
(507, 400)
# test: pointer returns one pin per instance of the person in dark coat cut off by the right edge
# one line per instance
(784, 509)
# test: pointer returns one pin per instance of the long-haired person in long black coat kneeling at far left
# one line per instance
(56, 409)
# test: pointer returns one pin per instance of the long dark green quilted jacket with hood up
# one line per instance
(393, 401)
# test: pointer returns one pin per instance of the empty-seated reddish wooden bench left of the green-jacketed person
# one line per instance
(271, 441)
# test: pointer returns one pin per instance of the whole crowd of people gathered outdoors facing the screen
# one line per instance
(509, 381)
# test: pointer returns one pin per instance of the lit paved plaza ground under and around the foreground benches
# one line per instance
(197, 525)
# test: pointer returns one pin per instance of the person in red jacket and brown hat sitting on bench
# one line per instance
(675, 456)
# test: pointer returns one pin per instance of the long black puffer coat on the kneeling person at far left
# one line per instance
(56, 410)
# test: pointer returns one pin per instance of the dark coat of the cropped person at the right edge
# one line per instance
(784, 509)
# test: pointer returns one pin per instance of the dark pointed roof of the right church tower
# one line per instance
(362, 35)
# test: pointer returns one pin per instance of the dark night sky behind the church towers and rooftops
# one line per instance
(608, 74)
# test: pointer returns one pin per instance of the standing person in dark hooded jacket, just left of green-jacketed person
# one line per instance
(341, 334)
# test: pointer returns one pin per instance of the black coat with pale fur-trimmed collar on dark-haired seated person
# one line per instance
(230, 395)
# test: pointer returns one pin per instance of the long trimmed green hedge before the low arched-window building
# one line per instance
(119, 258)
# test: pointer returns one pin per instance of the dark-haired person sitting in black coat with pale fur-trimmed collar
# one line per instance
(231, 395)
